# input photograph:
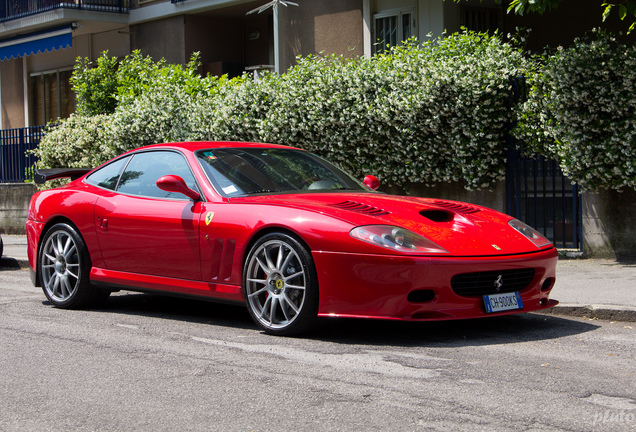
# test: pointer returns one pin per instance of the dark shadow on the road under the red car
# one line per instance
(473, 332)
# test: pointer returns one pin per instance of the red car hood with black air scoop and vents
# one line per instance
(460, 228)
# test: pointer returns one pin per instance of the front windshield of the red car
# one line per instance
(246, 171)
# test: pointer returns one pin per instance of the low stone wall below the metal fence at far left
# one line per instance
(14, 203)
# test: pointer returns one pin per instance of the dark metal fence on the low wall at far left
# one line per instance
(16, 166)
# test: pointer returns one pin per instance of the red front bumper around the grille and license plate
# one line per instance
(378, 286)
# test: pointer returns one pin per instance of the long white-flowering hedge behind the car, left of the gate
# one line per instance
(426, 113)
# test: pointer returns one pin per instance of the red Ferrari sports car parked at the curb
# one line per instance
(281, 230)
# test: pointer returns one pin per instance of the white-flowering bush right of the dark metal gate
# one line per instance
(581, 110)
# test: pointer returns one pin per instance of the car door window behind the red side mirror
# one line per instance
(143, 171)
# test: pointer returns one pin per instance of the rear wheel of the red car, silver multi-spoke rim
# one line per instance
(64, 266)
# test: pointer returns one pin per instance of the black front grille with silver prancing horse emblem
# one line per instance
(491, 282)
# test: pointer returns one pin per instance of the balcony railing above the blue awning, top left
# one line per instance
(12, 9)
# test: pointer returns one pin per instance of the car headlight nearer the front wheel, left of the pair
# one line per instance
(395, 238)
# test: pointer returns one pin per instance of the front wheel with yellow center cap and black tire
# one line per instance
(280, 285)
